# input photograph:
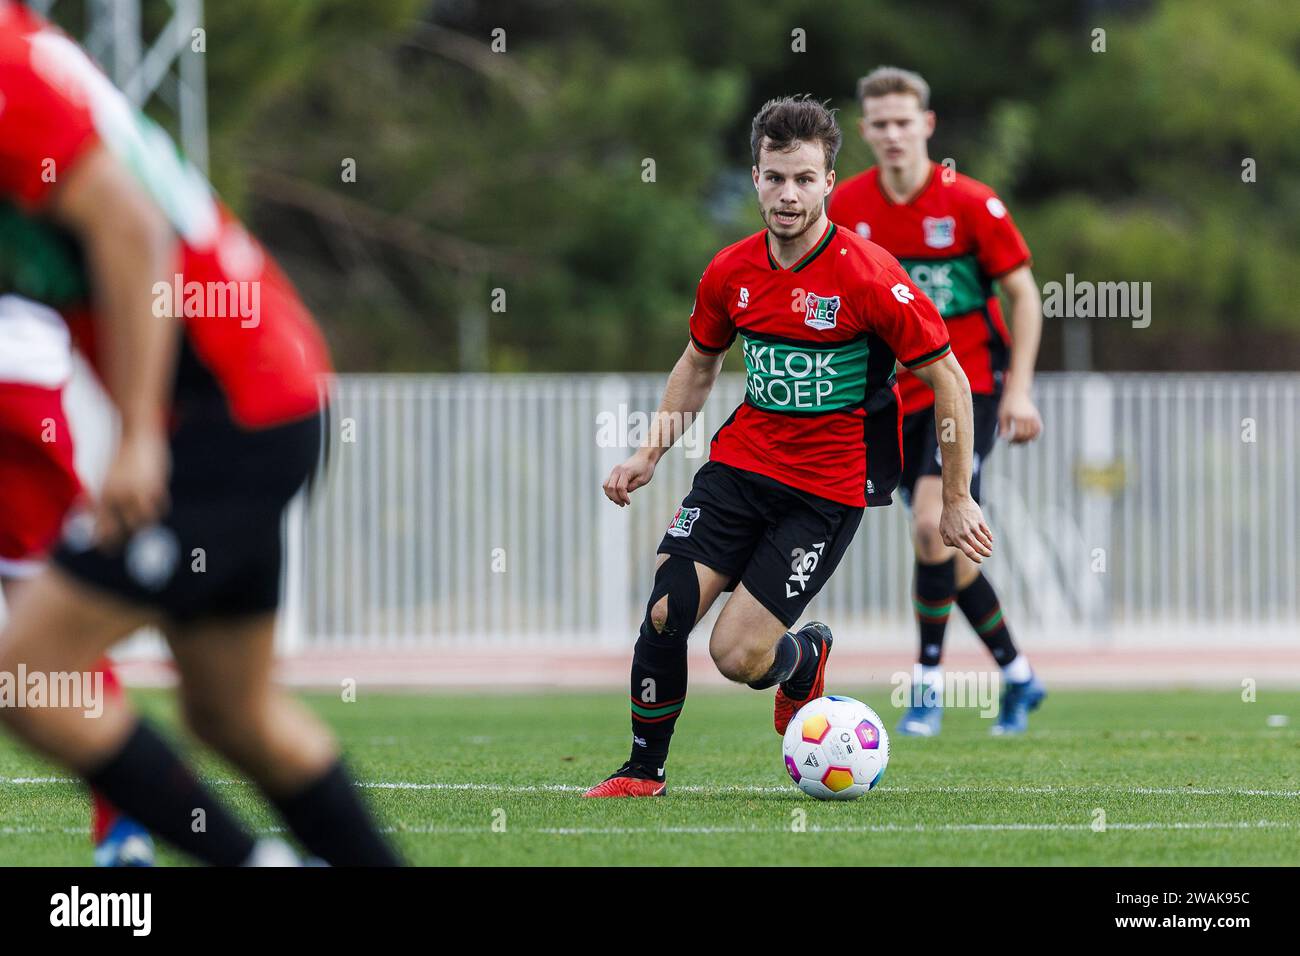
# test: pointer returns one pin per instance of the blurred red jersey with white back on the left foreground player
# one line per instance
(55, 109)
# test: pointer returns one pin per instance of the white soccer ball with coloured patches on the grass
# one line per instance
(837, 749)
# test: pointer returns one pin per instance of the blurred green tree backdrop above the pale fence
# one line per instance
(583, 176)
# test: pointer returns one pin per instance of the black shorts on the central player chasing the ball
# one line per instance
(781, 543)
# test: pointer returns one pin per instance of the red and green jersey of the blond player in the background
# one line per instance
(955, 239)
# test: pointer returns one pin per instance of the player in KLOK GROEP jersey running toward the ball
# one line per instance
(822, 315)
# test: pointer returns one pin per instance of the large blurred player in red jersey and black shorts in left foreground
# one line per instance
(214, 366)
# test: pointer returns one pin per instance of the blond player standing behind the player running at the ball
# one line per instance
(957, 243)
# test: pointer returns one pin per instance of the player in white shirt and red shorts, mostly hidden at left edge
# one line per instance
(38, 487)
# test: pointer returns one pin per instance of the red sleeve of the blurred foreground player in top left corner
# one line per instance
(42, 132)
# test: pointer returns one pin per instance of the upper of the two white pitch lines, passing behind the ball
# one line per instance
(755, 789)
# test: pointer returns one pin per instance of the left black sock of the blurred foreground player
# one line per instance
(148, 782)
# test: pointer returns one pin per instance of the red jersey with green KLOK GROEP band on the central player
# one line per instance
(821, 341)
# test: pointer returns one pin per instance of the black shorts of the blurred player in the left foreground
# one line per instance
(218, 551)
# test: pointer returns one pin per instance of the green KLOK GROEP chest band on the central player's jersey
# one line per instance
(805, 378)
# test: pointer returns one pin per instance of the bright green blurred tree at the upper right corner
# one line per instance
(1139, 175)
